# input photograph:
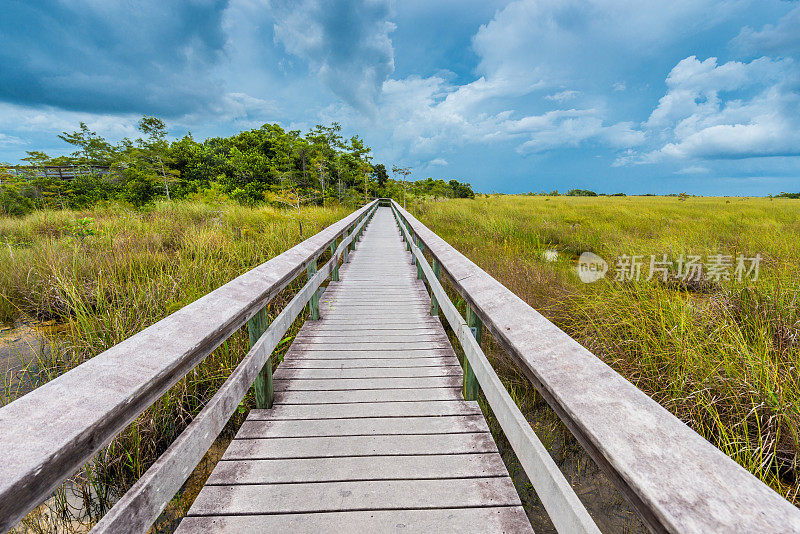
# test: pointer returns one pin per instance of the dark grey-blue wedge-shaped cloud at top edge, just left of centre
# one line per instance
(346, 43)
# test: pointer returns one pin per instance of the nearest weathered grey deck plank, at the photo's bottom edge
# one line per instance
(491, 520)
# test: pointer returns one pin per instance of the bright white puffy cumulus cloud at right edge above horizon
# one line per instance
(723, 111)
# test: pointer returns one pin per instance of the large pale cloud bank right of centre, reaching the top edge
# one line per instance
(530, 46)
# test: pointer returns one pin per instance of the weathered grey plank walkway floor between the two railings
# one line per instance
(369, 430)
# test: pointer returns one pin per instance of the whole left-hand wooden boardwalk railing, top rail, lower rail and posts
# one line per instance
(48, 434)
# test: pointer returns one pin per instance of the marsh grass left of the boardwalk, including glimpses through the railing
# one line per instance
(106, 274)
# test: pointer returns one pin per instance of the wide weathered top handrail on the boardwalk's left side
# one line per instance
(48, 434)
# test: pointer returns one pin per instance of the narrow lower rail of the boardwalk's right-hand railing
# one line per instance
(565, 509)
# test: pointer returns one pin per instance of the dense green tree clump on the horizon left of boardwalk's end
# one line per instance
(266, 165)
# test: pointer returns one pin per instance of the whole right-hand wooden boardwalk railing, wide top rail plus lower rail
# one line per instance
(673, 477)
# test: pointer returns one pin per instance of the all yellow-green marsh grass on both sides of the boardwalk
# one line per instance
(721, 355)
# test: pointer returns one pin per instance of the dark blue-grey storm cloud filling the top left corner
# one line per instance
(101, 56)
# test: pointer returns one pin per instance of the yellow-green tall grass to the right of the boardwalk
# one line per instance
(722, 356)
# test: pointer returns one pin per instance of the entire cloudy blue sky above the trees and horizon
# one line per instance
(613, 95)
